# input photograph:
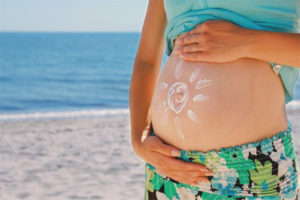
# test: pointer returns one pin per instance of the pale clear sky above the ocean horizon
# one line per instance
(72, 15)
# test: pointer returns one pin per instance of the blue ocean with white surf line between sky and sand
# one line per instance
(52, 74)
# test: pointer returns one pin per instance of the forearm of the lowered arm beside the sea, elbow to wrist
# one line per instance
(142, 85)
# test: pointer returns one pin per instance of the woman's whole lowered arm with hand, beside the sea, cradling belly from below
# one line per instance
(144, 78)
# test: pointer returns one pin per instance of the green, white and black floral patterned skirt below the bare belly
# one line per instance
(266, 169)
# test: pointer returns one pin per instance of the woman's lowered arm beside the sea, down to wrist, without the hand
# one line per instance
(146, 70)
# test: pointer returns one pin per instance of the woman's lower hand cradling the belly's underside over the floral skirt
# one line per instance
(158, 154)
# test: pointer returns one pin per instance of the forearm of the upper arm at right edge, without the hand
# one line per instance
(277, 47)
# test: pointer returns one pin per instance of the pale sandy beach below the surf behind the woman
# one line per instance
(76, 158)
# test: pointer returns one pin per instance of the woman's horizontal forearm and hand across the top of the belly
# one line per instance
(223, 41)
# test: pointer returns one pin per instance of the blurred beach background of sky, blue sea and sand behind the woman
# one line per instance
(65, 69)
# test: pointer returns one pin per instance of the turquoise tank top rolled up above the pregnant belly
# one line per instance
(271, 15)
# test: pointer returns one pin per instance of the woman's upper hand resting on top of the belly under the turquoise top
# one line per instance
(214, 41)
